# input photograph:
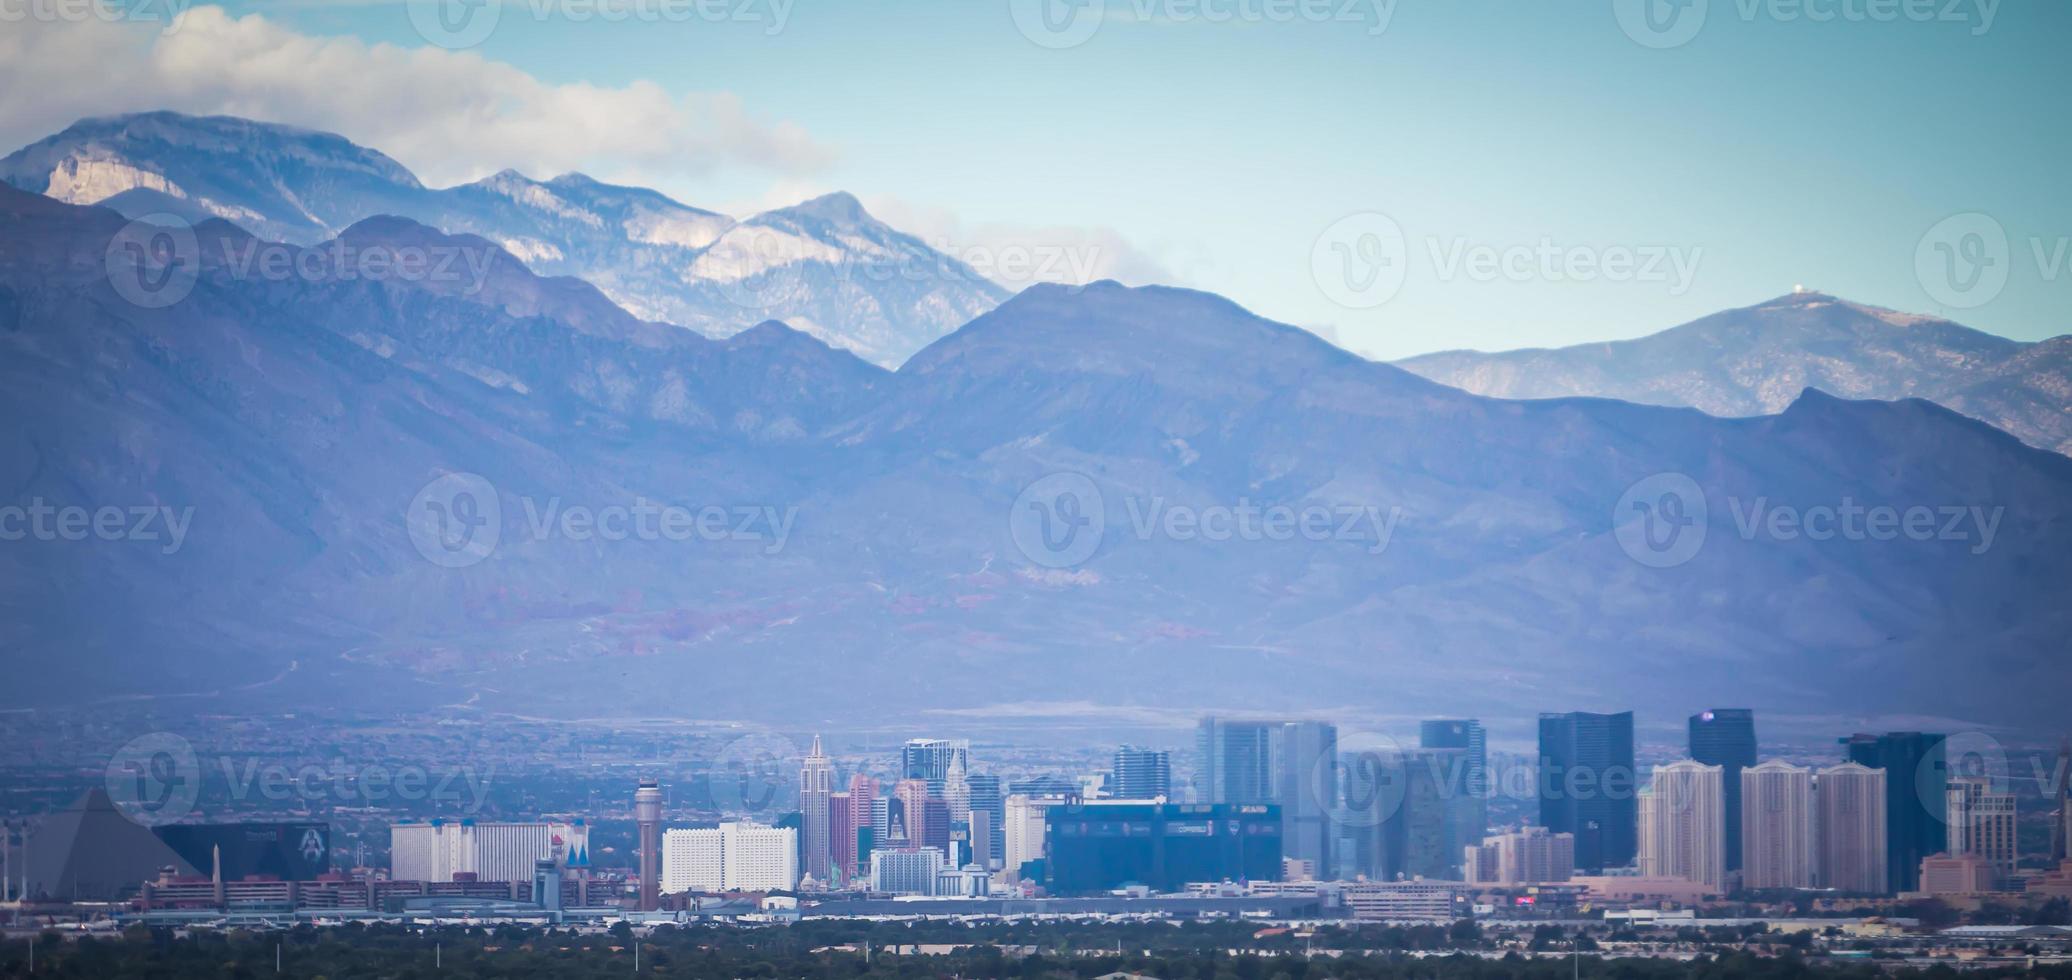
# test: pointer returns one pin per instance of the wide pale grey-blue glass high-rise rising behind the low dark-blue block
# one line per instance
(1292, 766)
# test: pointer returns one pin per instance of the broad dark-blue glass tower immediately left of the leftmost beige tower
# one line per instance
(1588, 786)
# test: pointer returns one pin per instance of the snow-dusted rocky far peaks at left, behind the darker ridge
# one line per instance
(826, 266)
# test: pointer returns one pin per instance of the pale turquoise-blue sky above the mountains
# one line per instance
(1781, 144)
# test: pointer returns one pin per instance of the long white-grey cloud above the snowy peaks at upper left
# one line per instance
(451, 117)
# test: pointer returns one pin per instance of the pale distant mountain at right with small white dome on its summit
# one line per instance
(1758, 359)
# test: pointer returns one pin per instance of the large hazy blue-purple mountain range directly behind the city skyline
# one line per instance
(892, 542)
